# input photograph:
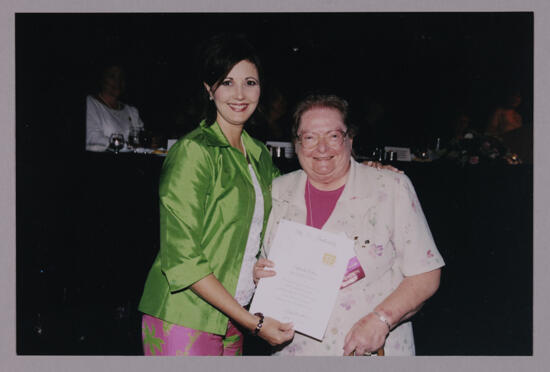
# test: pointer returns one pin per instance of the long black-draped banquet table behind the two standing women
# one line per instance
(87, 233)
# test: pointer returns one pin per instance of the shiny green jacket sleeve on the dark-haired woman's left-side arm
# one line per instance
(183, 191)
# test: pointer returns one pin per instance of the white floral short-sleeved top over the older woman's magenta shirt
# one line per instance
(380, 211)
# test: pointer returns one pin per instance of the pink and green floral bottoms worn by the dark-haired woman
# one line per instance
(163, 338)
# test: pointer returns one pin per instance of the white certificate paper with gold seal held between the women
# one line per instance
(310, 265)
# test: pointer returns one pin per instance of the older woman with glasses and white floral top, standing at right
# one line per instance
(378, 209)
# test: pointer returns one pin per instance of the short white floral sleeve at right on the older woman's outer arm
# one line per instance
(416, 249)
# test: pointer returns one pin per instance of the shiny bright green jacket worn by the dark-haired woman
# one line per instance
(206, 205)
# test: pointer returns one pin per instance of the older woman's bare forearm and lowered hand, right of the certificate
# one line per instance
(369, 333)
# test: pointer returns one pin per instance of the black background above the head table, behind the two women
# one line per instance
(422, 67)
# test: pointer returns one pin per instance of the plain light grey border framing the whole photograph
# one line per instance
(10, 361)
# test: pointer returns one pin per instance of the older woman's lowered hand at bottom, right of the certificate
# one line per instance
(366, 336)
